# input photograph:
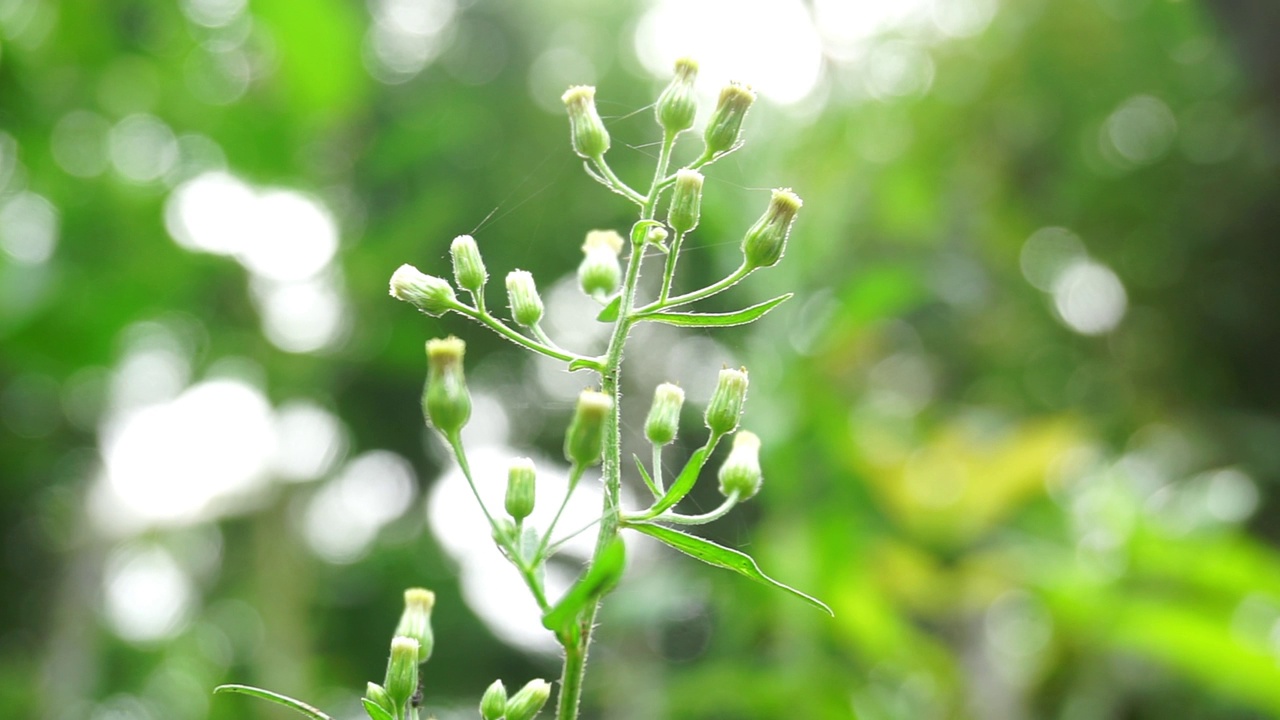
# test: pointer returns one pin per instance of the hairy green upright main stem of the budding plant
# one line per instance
(611, 377)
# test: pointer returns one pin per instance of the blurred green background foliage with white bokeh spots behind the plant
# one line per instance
(1021, 422)
